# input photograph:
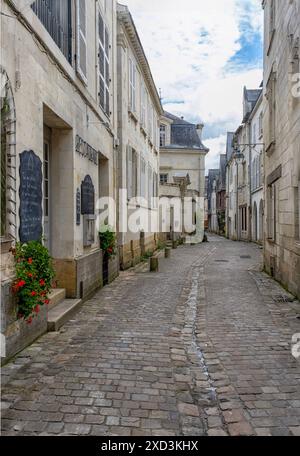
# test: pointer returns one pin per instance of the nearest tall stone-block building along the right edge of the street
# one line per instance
(281, 128)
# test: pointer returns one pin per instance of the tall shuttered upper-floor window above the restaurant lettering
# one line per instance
(103, 65)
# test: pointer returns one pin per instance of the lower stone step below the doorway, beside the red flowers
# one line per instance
(61, 313)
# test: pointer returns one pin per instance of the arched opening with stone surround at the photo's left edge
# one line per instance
(8, 159)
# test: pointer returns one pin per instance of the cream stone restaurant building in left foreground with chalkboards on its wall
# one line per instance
(58, 138)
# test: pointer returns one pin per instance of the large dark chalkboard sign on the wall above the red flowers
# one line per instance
(31, 195)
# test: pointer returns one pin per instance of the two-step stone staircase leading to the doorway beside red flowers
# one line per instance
(60, 309)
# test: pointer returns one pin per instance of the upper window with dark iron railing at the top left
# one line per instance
(55, 16)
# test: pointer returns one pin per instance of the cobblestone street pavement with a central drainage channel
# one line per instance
(201, 348)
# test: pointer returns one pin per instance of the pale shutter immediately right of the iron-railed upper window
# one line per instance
(81, 62)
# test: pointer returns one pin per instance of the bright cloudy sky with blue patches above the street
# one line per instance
(202, 53)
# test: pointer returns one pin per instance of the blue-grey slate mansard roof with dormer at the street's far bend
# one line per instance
(184, 135)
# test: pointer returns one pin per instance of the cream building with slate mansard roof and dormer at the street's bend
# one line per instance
(182, 154)
